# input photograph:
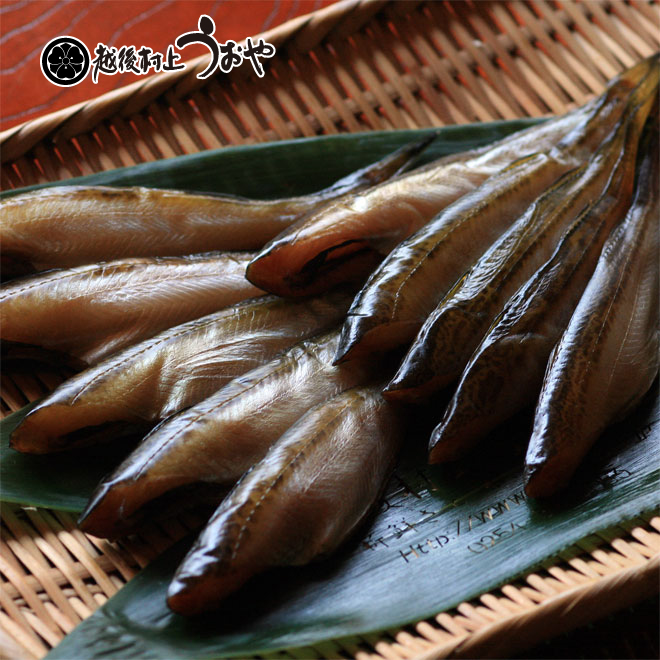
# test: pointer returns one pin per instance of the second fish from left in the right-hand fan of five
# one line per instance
(407, 286)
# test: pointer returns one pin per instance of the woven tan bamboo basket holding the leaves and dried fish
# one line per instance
(356, 65)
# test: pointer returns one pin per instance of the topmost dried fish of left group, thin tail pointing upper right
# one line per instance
(69, 226)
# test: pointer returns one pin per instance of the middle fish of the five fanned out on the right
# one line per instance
(455, 328)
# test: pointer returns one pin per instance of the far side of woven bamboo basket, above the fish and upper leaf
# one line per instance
(354, 66)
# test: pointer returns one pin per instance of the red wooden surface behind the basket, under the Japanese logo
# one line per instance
(27, 25)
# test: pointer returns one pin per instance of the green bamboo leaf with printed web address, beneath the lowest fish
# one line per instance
(441, 536)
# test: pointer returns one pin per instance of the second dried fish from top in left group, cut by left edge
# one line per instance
(92, 311)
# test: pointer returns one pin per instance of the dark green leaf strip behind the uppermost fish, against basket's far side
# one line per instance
(289, 167)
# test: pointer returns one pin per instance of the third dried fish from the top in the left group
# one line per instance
(175, 369)
